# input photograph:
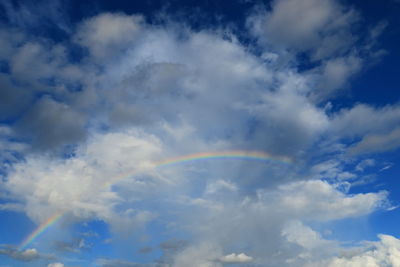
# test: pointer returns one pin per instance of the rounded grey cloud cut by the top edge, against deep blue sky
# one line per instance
(322, 27)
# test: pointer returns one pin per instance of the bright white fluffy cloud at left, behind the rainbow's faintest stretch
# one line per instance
(82, 184)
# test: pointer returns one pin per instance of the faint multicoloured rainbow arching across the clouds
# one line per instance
(236, 155)
